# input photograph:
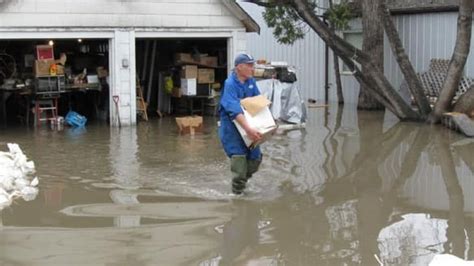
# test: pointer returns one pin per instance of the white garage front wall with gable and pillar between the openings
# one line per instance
(121, 22)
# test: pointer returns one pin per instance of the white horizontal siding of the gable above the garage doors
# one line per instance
(116, 13)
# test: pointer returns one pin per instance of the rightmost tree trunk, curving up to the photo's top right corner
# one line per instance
(458, 60)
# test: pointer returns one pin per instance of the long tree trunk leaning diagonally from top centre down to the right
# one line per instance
(379, 85)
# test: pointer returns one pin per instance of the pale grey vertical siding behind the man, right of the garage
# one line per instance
(306, 55)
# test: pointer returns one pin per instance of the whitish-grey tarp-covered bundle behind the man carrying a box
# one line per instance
(287, 103)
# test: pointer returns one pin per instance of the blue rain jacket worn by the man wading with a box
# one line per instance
(229, 108)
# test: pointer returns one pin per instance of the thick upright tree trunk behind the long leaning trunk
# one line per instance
(372, 44)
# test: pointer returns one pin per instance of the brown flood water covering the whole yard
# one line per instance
(351, 188)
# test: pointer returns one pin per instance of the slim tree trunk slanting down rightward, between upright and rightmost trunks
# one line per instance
(406, 67)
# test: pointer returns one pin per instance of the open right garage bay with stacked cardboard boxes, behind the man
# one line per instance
(181, 76)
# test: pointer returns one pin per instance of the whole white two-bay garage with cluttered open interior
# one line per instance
(111, 48)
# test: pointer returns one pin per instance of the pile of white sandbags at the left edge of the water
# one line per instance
(16, 176)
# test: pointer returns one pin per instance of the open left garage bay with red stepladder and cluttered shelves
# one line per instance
(41, 80)
